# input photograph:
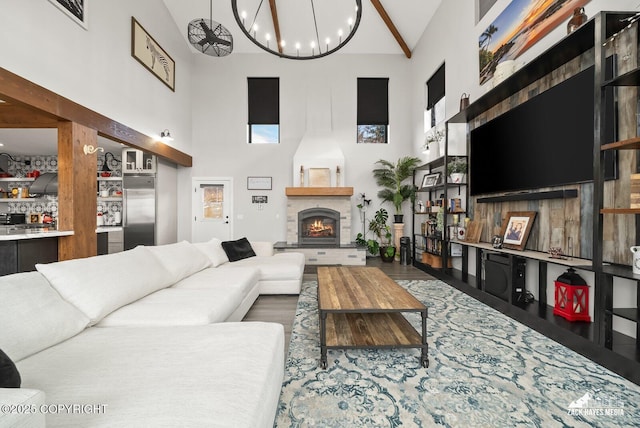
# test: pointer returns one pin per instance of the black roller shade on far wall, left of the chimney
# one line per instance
(264, 100)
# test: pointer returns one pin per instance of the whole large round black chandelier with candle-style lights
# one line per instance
(298, 29)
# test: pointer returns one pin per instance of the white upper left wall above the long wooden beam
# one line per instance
(95, 68)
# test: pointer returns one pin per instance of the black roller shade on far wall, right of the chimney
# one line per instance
(373, 101)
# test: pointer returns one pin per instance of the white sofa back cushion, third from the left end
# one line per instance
(181, 259)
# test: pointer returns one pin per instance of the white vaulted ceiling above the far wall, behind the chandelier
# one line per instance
(410, 17)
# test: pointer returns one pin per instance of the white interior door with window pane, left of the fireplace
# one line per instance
(212, 208)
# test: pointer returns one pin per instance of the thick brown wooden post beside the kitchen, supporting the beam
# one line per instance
(77, 190)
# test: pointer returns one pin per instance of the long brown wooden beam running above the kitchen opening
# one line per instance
(20, 91)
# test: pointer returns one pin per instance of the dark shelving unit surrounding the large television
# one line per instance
(596, 340)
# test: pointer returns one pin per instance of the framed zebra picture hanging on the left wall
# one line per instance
(149, 53)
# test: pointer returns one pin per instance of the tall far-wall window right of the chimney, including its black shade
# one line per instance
(373, 110)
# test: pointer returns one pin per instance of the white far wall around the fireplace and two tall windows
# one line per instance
(220, 118)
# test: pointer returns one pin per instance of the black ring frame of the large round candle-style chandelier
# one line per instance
(296, 52)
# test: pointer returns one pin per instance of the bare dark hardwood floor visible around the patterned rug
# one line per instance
(282, 308)
